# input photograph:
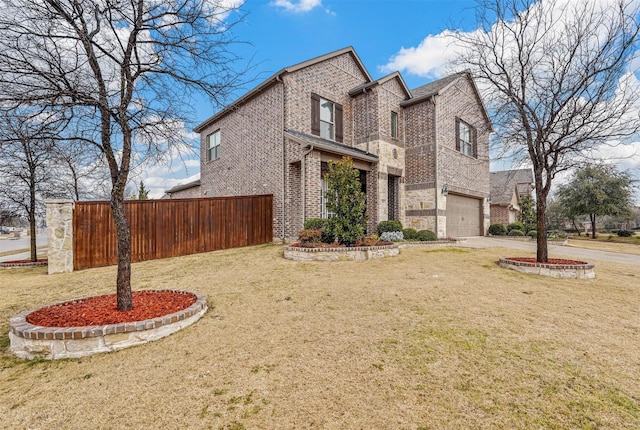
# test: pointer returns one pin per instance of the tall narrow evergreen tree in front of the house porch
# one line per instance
(347, 201)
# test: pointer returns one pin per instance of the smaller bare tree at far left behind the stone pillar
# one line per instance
(27, 154)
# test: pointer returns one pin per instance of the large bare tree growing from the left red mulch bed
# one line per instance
(125, 66)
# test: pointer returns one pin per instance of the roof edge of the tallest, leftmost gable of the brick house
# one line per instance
(277, 78)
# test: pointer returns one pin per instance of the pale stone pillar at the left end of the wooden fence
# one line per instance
(60, 235)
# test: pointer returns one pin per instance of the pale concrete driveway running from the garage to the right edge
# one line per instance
(583, 254)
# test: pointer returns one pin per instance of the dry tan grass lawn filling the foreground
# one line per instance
(426, 340)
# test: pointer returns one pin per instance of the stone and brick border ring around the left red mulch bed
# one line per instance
(52, 343)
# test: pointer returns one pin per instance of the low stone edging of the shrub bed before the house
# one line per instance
(340, 254)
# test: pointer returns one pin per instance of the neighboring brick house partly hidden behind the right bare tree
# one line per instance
(507, 188)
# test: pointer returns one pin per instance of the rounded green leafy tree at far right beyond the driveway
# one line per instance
(597, 190)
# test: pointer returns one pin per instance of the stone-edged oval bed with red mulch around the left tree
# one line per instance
(92, 325)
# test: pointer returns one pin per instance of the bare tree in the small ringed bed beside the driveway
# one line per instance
(557, 81)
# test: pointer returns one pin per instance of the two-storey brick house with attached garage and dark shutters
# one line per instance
(422, 154)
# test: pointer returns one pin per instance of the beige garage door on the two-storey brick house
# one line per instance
(464, 215)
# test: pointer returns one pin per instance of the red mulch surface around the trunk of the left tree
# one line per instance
(102, 310)
